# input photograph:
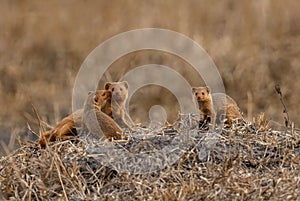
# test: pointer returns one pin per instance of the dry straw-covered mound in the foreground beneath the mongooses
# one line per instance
(245, 162)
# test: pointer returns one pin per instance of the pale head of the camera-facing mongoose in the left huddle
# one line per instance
(119, 91)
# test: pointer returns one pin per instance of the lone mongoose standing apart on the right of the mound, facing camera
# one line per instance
(213, 105)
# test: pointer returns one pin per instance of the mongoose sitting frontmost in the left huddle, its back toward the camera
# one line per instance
(97, 121)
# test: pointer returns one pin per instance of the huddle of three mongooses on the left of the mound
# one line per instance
(104, 105)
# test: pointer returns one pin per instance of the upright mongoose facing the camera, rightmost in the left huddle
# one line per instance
(116, 107)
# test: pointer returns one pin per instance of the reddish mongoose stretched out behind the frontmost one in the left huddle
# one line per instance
(67, 126)
